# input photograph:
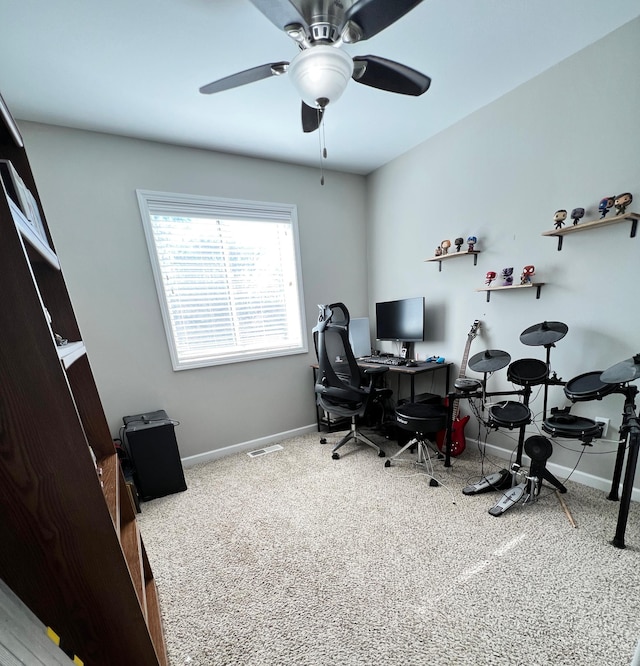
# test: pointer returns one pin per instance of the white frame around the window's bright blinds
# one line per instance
(225, 212)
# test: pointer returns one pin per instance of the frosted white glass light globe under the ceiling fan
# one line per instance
(320, 73)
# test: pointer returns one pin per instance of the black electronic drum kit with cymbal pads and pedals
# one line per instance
(515, 414)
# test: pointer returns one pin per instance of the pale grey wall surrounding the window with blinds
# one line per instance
(87, 182)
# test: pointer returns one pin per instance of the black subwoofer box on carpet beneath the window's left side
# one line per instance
(152, 445)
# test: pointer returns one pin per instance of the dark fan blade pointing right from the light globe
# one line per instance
(389, 75)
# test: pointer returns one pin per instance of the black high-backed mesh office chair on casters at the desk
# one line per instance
(342, 388)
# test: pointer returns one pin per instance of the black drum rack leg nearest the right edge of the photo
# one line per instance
(629, 433)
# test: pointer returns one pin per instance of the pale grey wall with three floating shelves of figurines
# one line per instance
(565, 139)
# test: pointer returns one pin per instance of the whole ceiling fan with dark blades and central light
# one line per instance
(321, 69)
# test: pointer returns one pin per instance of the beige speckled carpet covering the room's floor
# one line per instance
(292, 558)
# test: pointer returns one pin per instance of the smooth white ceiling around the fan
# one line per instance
(133, 67)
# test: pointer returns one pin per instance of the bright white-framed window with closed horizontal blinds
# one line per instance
(228, 277)
